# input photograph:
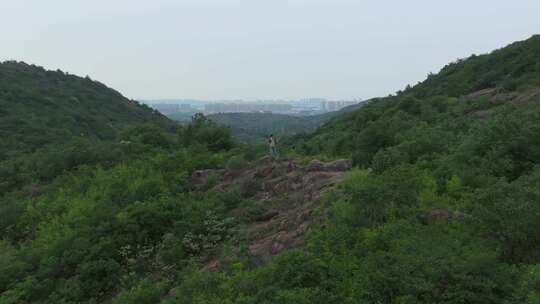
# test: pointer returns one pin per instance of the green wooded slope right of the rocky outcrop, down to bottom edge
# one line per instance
(443, 206)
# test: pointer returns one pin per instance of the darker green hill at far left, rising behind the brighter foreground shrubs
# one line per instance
(40, 107)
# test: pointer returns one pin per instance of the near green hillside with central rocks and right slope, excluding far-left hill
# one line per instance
(442, 205)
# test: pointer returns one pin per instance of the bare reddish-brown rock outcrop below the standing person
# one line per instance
(288, 191)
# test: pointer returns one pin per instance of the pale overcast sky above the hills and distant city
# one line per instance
(224, 49)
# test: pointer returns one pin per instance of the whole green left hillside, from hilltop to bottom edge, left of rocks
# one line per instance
(82, 216)
